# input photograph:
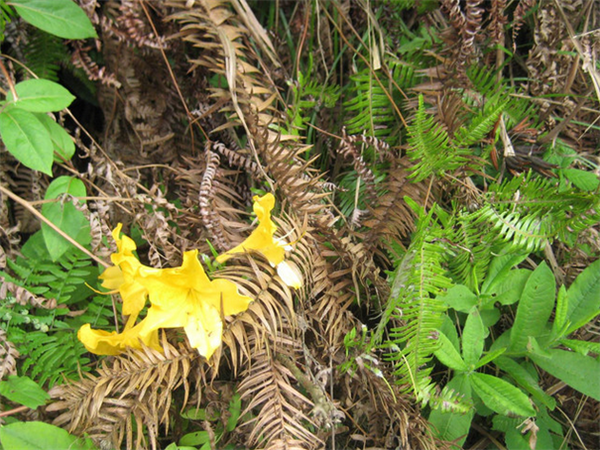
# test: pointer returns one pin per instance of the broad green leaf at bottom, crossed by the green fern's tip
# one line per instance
(451, 426)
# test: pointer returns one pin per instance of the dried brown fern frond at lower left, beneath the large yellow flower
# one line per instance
(130, 395)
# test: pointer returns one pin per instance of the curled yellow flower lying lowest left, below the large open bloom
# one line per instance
(103, 342)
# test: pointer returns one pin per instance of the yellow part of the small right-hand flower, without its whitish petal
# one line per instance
(261, 239)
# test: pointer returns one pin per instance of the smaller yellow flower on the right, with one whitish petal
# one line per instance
(262, 240)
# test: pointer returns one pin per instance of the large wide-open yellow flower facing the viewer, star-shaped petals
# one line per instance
(185, 297)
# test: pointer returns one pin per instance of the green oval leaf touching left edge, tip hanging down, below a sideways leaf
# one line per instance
(26, 138)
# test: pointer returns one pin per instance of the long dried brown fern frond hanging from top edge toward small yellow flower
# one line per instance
(223, 43)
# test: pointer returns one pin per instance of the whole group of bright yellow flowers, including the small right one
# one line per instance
(183, 296)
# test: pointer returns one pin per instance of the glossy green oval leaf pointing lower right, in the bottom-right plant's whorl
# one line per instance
(501, 396)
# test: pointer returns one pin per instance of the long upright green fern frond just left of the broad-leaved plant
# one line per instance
(413, 308)
